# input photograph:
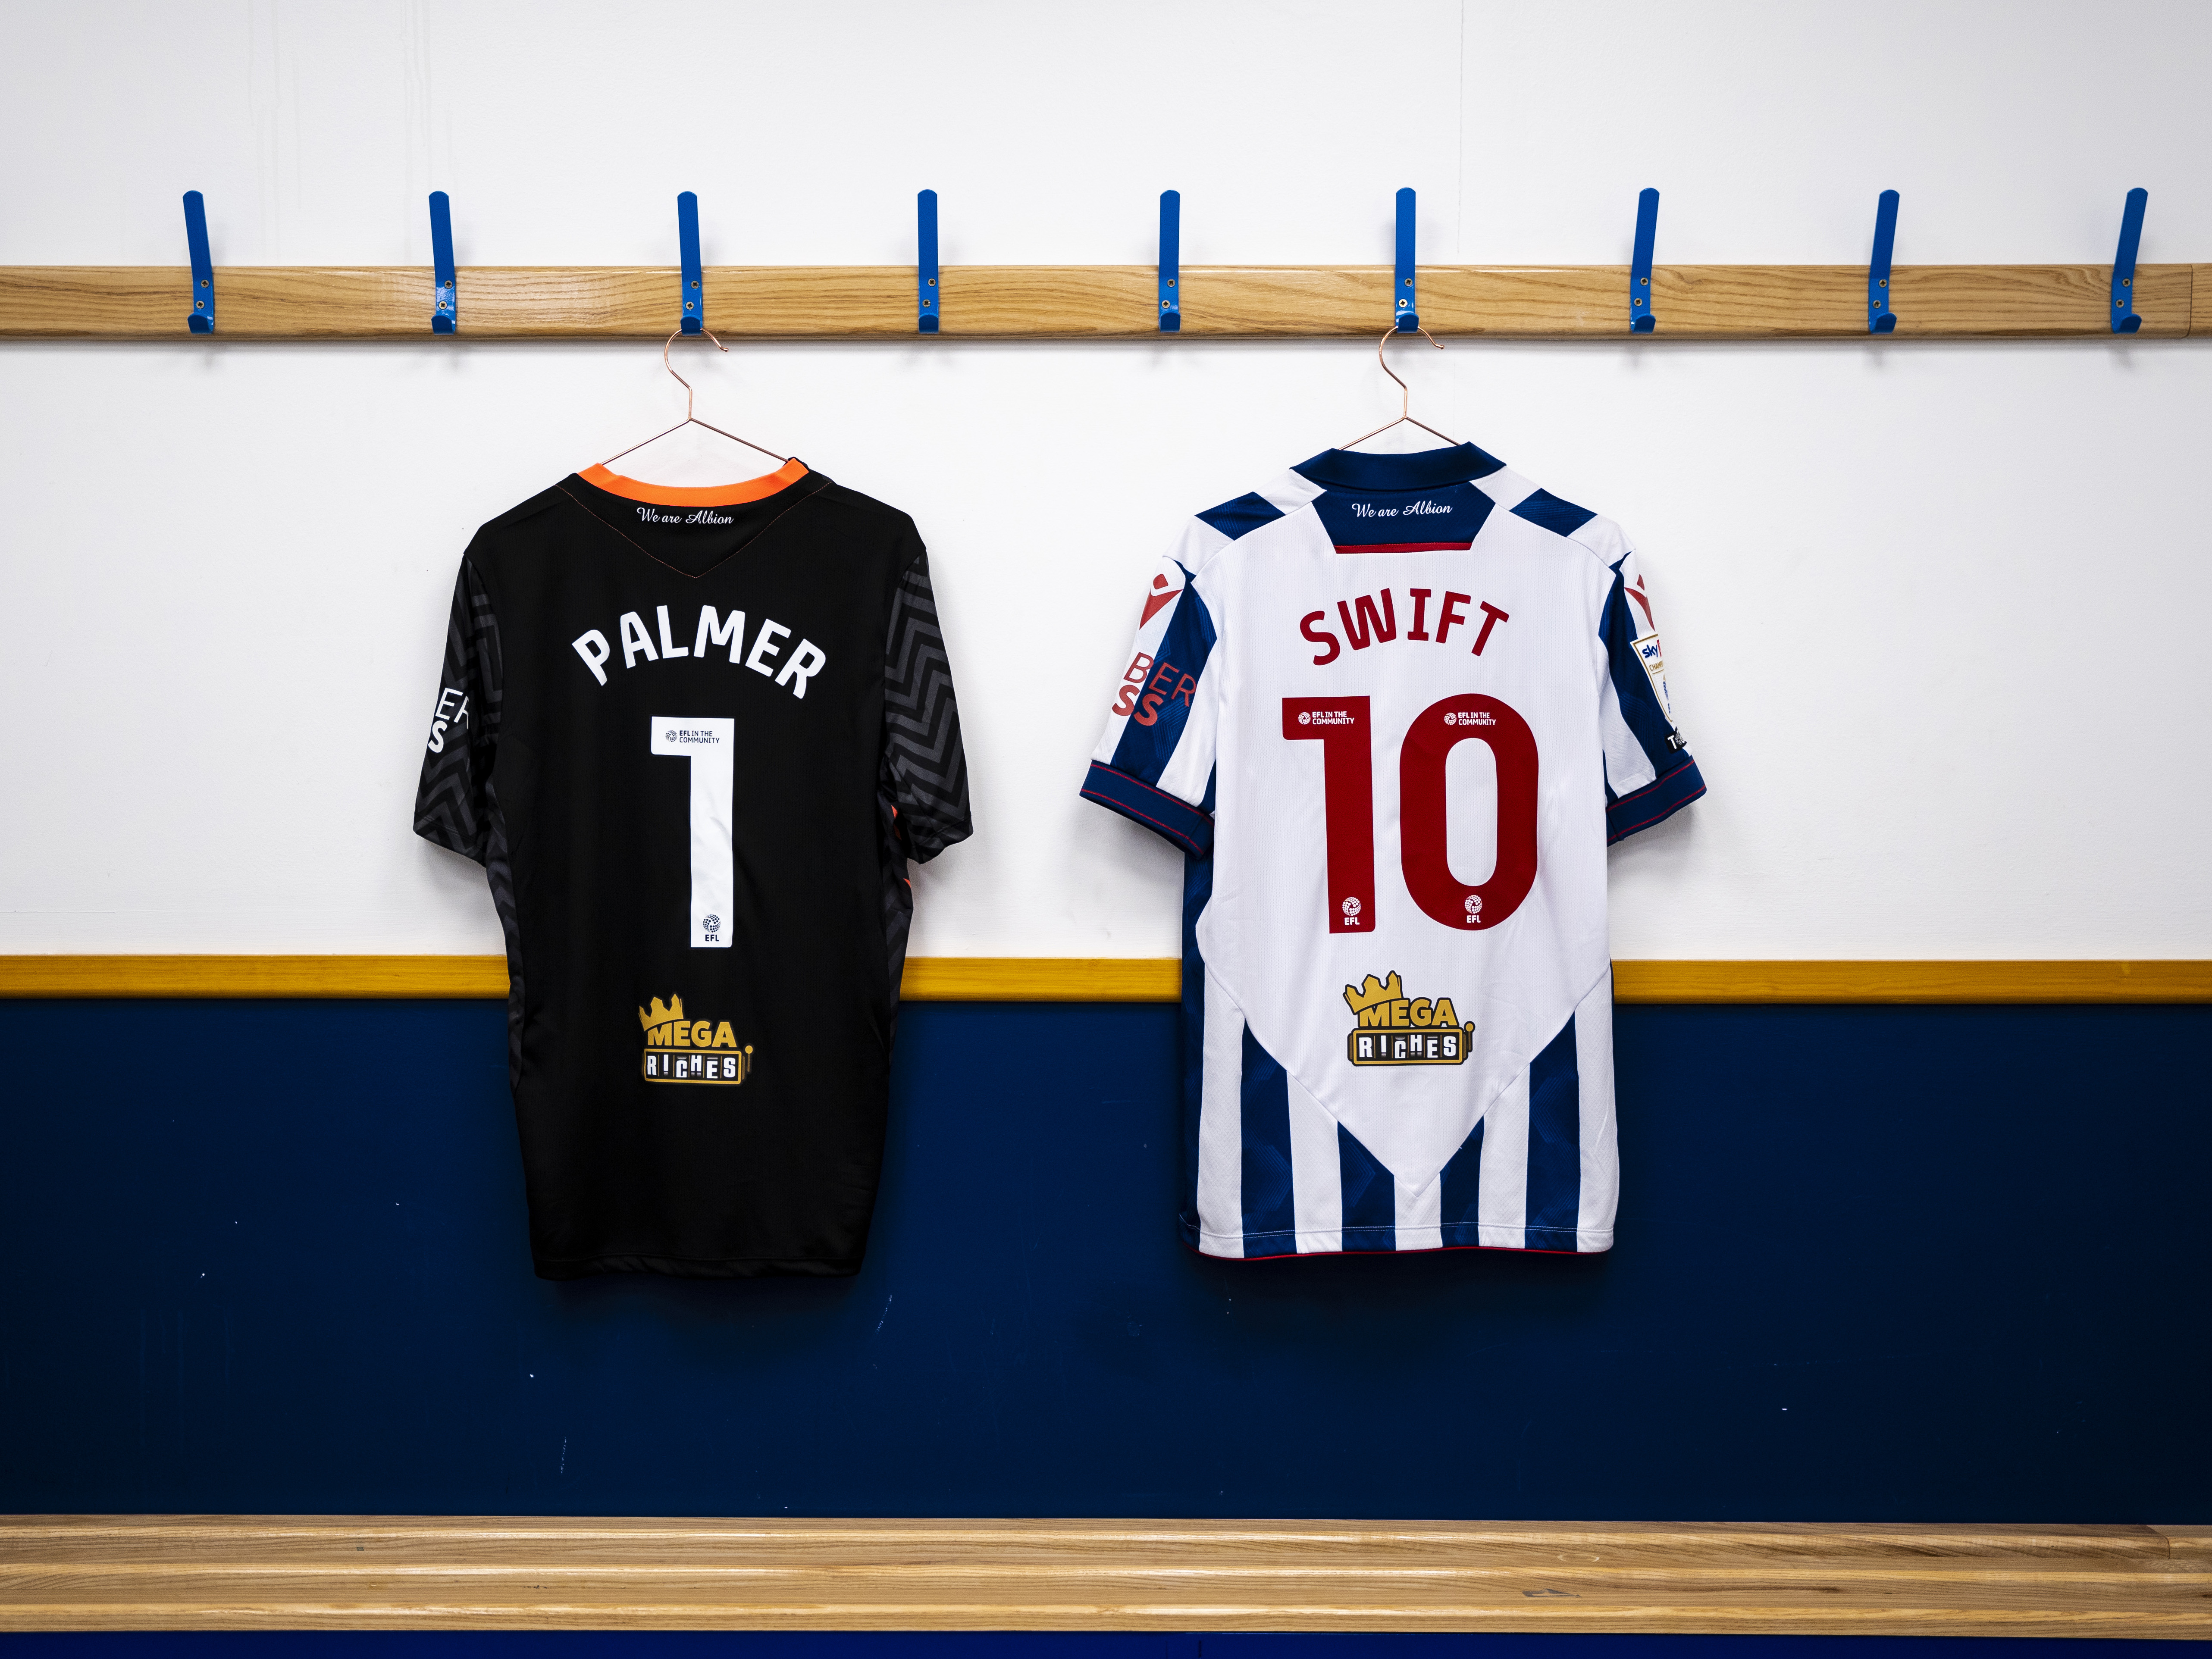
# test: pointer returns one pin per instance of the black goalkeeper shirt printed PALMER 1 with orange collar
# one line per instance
(693, 735)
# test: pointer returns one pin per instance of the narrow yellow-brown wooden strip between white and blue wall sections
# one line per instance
(1140, 979)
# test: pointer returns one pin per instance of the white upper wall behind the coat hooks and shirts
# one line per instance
(1932, 612)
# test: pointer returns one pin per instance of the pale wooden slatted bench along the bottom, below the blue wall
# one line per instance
(404, 1572)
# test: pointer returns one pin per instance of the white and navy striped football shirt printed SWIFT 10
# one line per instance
(1353, 691)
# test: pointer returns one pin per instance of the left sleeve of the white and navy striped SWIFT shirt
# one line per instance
(1158, 753)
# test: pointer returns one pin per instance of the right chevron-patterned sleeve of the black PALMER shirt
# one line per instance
(924, 769)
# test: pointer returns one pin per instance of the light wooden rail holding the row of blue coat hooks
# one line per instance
(1098, 302)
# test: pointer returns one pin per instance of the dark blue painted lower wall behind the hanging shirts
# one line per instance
(1875, 1264)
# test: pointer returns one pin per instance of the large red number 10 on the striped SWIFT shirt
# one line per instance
(1344, 729)
